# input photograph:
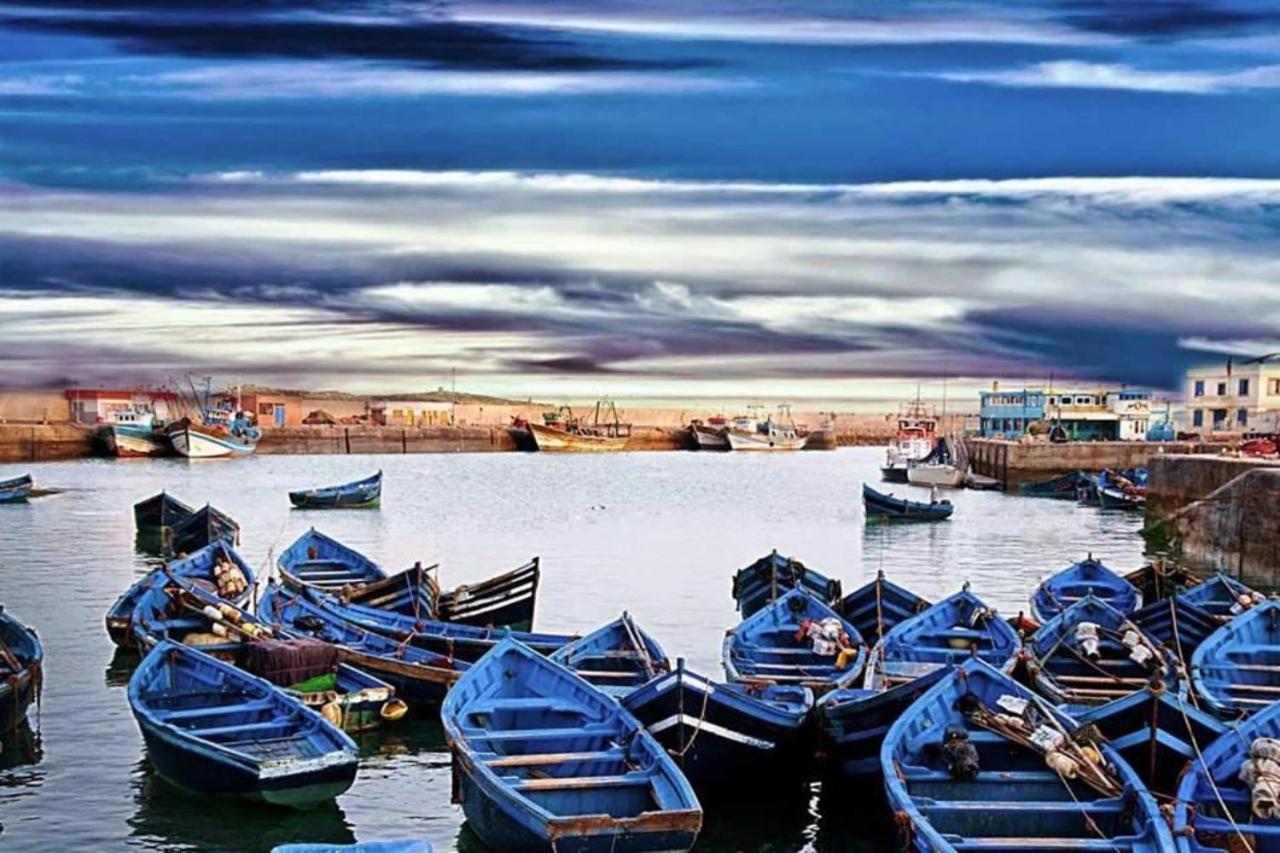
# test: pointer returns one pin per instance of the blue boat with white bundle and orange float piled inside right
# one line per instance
(770, 647)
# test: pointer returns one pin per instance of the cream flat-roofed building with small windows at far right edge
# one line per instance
(1236, 398)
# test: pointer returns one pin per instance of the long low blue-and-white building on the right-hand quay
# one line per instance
(1084, 414)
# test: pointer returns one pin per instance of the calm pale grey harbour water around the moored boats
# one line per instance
(659, 535)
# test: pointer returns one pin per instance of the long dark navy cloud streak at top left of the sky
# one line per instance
(286, 31)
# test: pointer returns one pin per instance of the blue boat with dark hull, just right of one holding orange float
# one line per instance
(912, 658)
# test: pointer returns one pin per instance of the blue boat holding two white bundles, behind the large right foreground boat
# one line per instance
(1091, 654)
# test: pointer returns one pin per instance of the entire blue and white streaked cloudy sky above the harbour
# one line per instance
(653, 199)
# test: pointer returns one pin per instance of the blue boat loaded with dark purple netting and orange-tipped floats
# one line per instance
(181, 610)
